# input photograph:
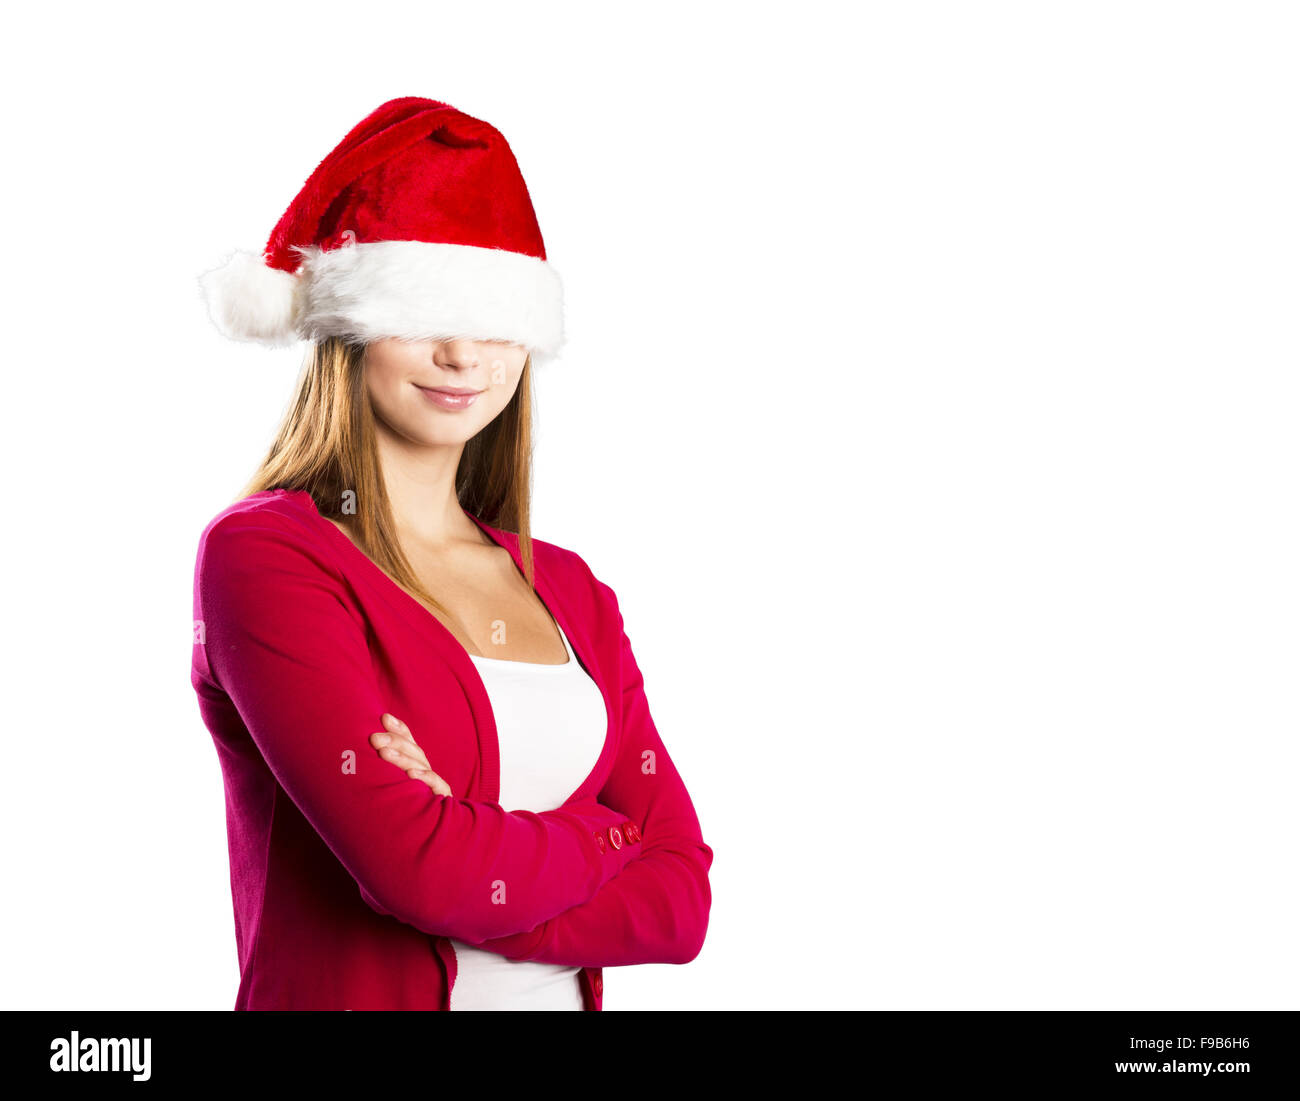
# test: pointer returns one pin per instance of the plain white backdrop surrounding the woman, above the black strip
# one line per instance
(930, 404)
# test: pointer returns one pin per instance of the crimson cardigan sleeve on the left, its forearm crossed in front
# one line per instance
(287, 647)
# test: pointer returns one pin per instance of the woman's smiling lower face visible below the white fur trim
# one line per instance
(441, 393)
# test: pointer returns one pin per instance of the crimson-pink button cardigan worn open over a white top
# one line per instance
(349, 877)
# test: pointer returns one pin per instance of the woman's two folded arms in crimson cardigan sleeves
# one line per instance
(288, 651)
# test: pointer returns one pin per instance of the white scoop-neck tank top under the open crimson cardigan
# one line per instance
(551, 726)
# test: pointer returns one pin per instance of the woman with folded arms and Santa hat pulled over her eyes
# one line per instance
(444, 784)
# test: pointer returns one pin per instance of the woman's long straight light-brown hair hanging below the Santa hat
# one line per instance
(327, 447)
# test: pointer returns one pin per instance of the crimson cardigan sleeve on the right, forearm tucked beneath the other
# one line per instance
(657, 909)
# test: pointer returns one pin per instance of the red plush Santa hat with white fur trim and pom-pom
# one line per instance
(417, 227)
